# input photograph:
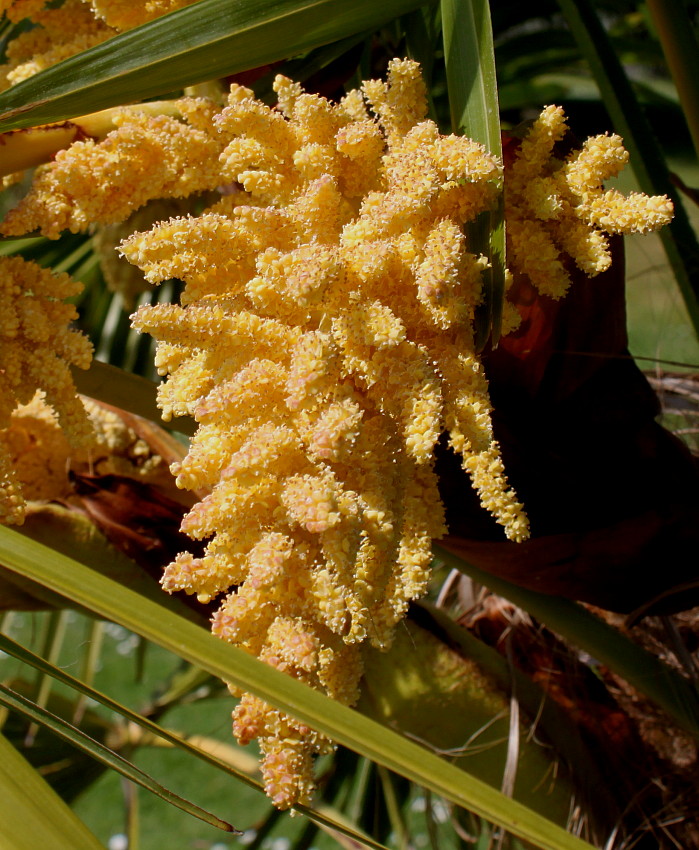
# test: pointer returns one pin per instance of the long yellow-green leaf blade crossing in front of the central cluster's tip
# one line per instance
(231, 664)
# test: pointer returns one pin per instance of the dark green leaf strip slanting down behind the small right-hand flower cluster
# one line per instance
(650, 168)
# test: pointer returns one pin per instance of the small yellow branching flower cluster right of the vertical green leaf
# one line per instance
(558, 207)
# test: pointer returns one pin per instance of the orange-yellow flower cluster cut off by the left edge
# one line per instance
(36, 349)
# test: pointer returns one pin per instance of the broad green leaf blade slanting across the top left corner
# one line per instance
(210, 39)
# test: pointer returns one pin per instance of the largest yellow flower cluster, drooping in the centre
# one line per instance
(324, 343)
